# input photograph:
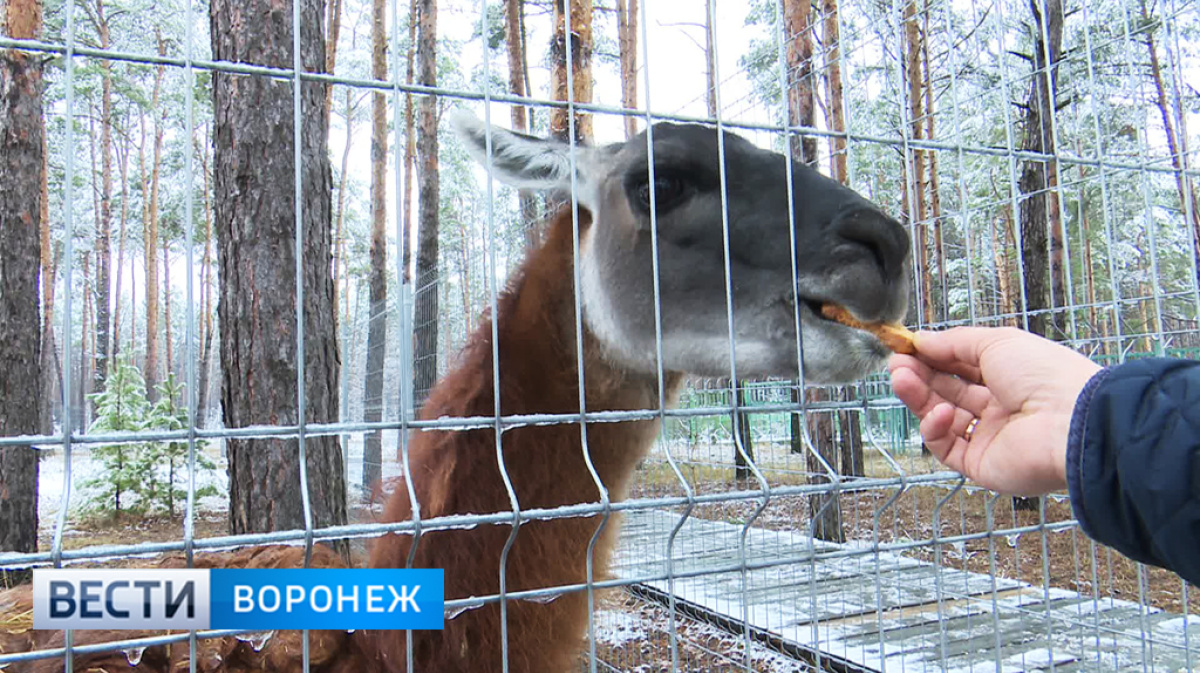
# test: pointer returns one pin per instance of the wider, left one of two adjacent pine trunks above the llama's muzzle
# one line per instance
(801, 86)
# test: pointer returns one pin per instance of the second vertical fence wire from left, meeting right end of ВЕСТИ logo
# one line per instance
(190, 315)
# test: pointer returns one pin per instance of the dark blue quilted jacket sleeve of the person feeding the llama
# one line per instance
(1133, 462)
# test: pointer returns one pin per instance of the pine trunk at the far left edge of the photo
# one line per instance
(21, 250)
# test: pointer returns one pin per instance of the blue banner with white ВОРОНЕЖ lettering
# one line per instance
(327, 599)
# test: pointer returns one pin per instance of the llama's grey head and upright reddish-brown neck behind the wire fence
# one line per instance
(847, 253)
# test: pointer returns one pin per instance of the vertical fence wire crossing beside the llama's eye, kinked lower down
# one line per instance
(689, 492)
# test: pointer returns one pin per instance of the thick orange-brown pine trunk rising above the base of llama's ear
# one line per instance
(580, 91)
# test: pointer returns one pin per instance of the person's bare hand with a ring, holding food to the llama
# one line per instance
(1022, 388)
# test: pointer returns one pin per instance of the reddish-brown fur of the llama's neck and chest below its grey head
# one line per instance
(457, 473)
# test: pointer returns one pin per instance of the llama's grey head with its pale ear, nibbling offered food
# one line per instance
(847, 251)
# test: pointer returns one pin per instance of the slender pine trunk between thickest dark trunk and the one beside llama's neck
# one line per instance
(377, 326)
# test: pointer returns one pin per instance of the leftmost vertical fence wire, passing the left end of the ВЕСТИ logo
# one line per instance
(68, 314)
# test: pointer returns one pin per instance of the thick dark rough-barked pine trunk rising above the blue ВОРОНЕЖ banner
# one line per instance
(256, 220)
